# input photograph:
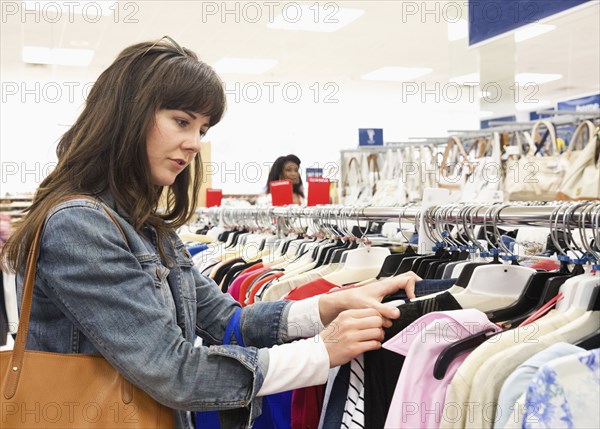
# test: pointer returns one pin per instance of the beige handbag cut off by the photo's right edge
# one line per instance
(582, 178)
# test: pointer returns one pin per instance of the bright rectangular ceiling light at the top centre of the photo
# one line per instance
(311, 18)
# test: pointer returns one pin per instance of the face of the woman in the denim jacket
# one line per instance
(172, 143)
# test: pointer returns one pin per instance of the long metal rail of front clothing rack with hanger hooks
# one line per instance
(570, 216)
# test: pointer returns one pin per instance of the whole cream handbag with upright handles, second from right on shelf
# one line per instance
(537, 174)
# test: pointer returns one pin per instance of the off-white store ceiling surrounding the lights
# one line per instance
(382, 36)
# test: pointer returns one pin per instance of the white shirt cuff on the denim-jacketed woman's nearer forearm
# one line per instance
(294, 365)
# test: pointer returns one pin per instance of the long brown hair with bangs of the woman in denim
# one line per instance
(105, 150)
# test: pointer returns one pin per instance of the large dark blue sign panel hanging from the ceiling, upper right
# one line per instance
(490, 18)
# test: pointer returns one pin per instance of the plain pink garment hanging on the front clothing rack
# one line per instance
(418, 400)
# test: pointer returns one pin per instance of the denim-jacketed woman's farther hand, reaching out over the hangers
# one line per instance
(368, 296)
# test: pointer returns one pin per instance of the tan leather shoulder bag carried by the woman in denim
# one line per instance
(55, 390)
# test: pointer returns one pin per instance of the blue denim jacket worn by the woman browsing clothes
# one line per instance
(96, 293)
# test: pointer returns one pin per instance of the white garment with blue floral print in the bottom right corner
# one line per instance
(565, 393)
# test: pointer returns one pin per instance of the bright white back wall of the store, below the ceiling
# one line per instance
(314, 120)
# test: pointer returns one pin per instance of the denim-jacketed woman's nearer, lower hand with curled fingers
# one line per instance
(352, 333)
